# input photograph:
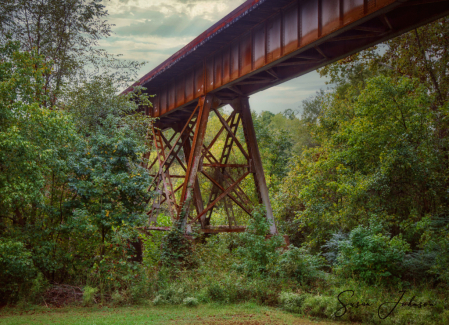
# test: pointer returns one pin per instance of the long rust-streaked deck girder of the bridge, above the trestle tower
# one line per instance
(263, 43)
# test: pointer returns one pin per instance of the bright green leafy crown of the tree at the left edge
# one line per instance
(34, 141)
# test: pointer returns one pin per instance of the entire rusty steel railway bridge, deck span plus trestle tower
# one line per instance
(261, 44)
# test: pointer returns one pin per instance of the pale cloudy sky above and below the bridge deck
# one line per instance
(153, 30)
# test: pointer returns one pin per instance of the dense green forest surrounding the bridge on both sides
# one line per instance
(358, 178)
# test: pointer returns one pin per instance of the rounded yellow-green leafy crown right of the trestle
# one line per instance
(369, 156)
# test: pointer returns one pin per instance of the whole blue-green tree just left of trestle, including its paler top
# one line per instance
(110, 184)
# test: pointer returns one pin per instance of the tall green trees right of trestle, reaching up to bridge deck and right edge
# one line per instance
(383, 143)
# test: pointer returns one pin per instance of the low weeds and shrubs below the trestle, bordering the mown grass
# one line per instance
(248, 267)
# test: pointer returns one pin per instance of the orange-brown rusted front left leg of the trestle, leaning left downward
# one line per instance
(205, 103)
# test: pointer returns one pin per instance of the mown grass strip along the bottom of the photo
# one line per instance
(203, 314)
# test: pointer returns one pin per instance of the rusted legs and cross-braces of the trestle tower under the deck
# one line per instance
(224, 187)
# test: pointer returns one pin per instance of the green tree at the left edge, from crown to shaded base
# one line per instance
(36, 144)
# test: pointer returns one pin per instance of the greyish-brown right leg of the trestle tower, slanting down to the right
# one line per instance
(242, 106)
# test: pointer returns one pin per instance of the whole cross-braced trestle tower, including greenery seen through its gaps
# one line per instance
(192, 177)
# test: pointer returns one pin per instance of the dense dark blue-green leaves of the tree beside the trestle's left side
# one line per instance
(111, 187)
